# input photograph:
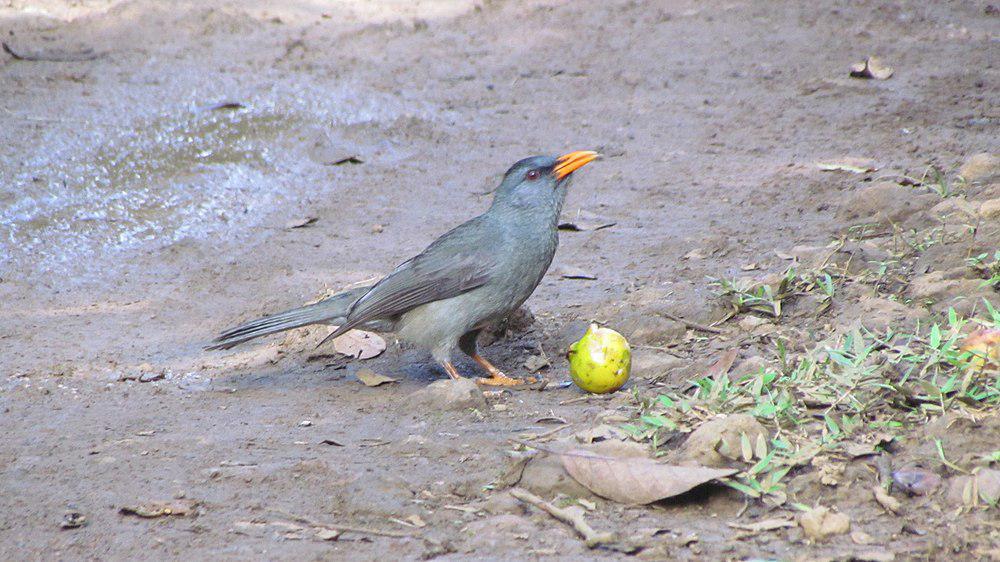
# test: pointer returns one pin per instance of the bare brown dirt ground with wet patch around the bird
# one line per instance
(139, 217)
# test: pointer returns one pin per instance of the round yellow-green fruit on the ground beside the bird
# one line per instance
(600, 362)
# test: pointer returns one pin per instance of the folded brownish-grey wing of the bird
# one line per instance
(457, 262)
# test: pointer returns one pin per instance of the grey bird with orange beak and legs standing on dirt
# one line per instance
(474, 275)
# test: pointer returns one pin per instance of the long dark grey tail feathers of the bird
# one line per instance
(332, 310)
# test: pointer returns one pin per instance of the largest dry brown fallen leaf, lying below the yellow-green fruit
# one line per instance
(635, 480)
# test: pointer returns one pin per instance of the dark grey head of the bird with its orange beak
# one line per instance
(540, 181)
